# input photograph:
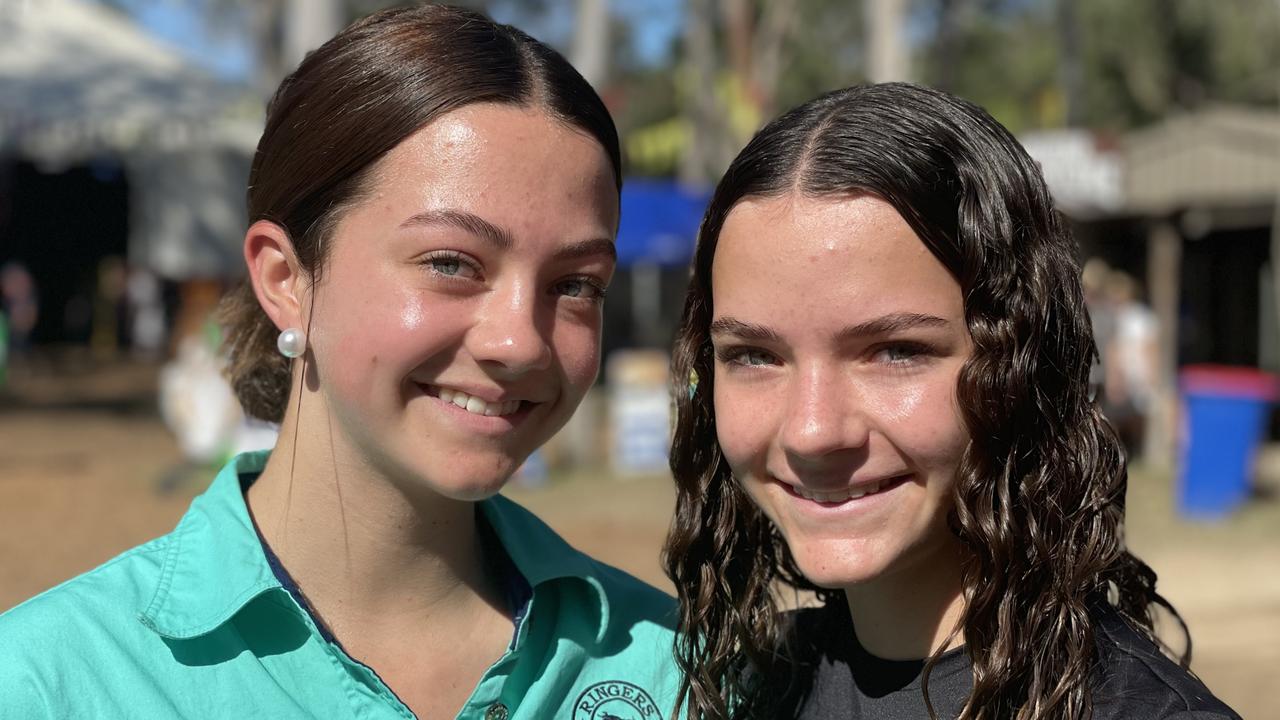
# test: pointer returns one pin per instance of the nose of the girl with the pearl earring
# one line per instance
(506, 335)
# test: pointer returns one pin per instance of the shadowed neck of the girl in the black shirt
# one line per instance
(912, 613)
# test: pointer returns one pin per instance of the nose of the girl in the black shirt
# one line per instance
(825, 416)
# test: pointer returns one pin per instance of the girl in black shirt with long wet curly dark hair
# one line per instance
(893, 411)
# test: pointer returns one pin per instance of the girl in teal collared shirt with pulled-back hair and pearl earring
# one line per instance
(433, 208)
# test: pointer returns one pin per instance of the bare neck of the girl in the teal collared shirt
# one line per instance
(364, 552)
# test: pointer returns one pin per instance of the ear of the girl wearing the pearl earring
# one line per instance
(278, 280)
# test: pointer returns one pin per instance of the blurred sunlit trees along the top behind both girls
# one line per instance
(732, 65)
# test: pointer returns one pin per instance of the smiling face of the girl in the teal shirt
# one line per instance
(458, 323)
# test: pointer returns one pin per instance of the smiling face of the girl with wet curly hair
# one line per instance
(839, 339)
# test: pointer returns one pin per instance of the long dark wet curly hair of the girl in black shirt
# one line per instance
(1041, 489)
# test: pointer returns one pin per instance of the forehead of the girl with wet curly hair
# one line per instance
(843, 258)
